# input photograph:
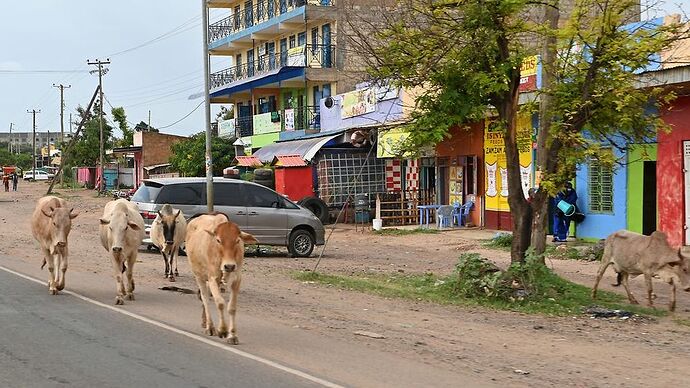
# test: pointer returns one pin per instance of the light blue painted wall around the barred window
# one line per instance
(600, 225)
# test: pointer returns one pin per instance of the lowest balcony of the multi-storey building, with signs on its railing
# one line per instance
(304, 118)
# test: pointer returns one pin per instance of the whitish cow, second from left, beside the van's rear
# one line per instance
(122, 230)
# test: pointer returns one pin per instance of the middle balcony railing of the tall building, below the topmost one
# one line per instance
(313, 56)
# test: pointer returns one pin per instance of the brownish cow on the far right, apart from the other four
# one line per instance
(633, 254)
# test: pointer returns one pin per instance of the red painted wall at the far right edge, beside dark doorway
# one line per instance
(669, 169)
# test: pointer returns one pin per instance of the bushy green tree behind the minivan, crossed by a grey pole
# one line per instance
(188, 155)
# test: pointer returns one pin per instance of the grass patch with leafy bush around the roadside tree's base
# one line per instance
(476, 282)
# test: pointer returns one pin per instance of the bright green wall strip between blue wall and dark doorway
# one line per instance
(636, 158)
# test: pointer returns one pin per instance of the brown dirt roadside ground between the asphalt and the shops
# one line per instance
(572, 351)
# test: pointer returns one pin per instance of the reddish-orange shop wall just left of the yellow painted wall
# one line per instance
(463, 142)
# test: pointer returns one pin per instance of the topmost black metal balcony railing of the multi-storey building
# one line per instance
(261, 11)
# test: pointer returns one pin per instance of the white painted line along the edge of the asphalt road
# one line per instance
(196, 337)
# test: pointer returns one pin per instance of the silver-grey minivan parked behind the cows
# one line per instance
(270, 217)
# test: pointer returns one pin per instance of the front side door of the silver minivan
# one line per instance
(266, 216)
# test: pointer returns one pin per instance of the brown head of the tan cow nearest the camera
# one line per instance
(230, 242)
